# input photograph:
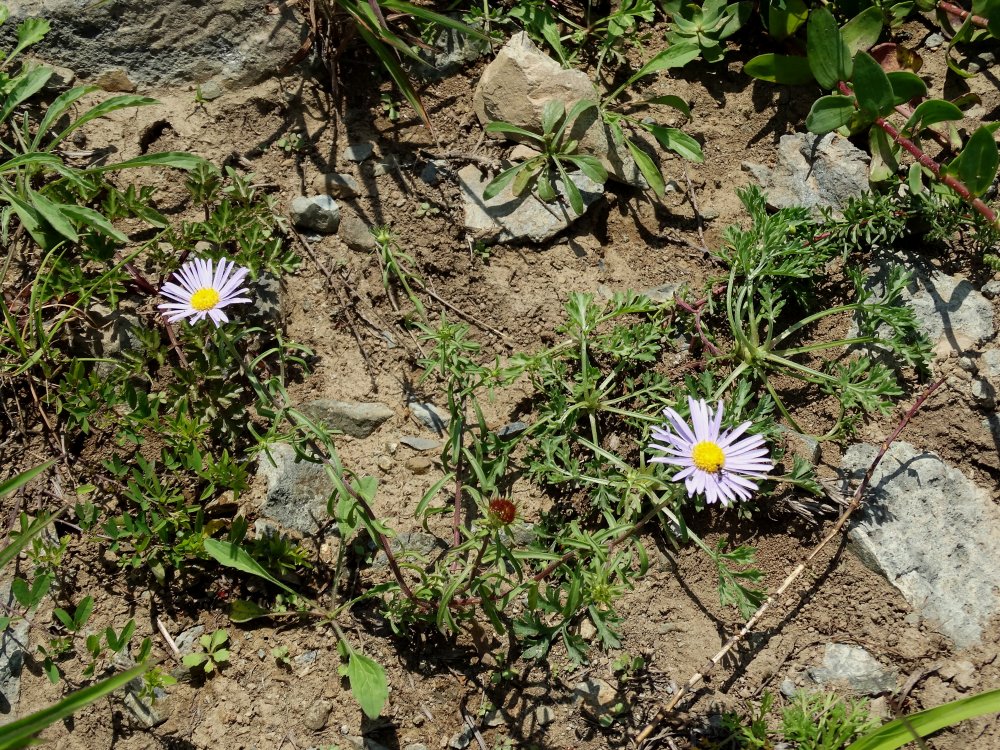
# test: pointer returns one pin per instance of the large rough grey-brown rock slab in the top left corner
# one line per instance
(236, 44)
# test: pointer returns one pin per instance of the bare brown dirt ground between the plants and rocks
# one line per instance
(628, 241)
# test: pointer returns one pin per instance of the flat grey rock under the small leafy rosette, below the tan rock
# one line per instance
(509, 219)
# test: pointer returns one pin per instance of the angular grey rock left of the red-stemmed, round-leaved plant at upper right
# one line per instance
(813, 171)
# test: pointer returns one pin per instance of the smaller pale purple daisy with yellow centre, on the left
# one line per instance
(203, 291)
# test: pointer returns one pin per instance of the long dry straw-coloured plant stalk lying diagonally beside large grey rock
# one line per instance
(698, 677)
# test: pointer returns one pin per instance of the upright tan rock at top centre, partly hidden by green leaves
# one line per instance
(521, 79)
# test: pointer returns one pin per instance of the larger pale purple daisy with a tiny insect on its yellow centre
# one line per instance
(712, 460)
